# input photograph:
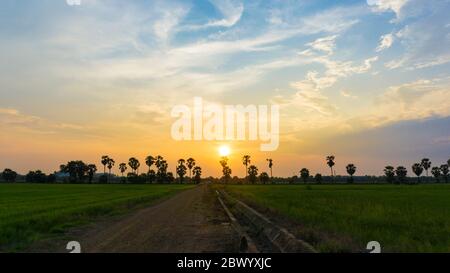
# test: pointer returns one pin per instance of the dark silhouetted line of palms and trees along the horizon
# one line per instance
(157, 172)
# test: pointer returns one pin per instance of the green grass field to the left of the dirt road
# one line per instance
(30, 212)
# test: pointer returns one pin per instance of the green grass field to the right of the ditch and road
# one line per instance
(345, 217)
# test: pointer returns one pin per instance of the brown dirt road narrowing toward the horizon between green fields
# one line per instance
(192, 221)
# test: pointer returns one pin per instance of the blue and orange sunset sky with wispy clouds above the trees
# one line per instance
(366, 81)
